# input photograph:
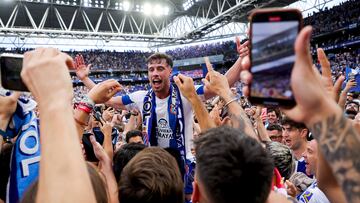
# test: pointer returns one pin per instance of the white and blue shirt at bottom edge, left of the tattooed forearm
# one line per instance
(313, 195)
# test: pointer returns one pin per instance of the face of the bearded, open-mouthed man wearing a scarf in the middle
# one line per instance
(159, 72)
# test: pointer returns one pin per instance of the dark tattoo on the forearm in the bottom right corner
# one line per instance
(340, 143)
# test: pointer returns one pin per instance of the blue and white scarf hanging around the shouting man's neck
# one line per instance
(176, 120)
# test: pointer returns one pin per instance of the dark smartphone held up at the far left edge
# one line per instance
(11, 66)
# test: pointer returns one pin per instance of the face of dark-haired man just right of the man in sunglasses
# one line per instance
(291, 136)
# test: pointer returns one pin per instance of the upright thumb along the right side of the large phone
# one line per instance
(302, 46)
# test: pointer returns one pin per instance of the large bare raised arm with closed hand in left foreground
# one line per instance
(63, 175)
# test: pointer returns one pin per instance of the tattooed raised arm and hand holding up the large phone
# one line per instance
(337, 138)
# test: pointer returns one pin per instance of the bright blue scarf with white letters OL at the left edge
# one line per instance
(25, 157)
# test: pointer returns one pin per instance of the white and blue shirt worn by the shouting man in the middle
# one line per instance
(164, 132)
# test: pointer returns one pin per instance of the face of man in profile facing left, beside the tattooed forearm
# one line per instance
(310, 157)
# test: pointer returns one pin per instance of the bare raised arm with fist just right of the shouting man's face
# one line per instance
(186, 86)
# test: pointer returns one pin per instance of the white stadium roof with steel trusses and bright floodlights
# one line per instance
(160, 22)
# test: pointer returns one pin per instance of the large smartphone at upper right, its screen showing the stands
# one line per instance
(272, 37)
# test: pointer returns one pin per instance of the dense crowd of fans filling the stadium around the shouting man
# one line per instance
(106, 146)
